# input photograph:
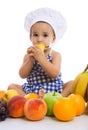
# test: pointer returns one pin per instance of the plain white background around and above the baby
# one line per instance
(14, 39)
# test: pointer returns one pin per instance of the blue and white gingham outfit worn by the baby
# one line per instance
(38, 79)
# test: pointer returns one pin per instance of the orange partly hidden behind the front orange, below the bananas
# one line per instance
(79, 103)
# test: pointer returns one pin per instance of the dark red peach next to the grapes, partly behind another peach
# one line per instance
(15, 106)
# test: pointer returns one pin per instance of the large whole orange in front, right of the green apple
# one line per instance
(64, 110)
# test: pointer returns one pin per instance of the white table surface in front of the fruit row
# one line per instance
(48, 123)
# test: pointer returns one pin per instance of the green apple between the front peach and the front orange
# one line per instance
(50, 98)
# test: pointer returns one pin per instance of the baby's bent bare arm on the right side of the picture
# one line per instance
(52, 69)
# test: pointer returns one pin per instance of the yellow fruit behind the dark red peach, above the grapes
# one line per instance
(9, 94)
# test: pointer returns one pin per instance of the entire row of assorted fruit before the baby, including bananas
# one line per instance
(34, 107)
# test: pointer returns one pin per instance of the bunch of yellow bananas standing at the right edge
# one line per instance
(80, 84)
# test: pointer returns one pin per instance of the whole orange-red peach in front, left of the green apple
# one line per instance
(35, 109)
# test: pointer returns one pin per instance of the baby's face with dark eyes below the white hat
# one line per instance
(42, 32)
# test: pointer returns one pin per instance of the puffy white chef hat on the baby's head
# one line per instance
(50, 16)
